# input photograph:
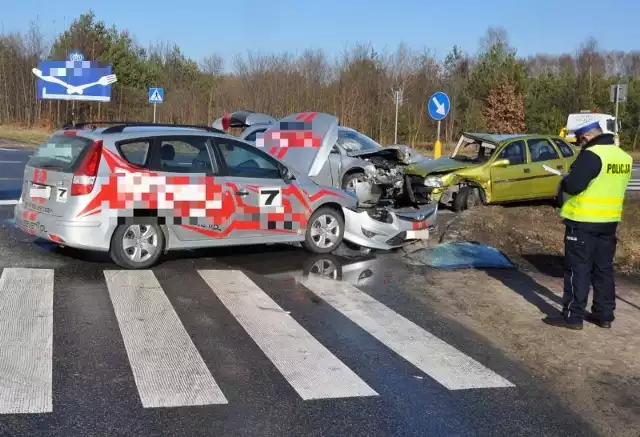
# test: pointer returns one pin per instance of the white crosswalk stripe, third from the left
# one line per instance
(310, 368)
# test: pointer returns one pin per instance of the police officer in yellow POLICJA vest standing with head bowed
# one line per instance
(593, 194)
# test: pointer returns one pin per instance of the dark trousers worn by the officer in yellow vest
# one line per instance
(588, 260)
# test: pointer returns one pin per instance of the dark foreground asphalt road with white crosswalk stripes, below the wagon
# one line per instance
(247, 343)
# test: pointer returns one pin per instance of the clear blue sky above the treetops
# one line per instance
(203, 27)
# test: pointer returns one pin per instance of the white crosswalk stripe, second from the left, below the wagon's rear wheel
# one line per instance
(166, 365)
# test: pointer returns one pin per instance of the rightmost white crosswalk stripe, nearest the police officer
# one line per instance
(439, 360)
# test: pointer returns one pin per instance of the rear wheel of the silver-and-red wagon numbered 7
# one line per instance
(122, 256)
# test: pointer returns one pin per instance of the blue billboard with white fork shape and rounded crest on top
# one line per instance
(74, 79)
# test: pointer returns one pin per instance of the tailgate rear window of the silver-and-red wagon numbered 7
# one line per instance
(60, 152)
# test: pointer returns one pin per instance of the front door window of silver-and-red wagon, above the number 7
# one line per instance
(246, 161)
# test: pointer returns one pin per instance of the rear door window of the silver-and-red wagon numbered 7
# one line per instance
(183, 155)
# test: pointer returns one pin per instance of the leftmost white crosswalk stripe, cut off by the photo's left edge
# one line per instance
(26, 341)
